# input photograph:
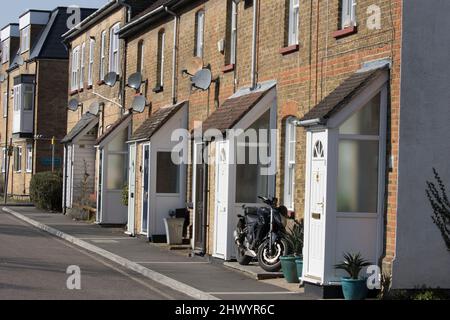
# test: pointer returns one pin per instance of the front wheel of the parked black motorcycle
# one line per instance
(271, 262)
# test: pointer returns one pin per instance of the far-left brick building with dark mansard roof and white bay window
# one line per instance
(33, 89)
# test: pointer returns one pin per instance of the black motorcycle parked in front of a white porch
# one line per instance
(260, 234)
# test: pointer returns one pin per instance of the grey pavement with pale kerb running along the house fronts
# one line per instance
(194, 277)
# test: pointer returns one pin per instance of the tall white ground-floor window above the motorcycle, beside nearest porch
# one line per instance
(290, 163)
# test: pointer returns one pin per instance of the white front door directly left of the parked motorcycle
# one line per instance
(221, 214)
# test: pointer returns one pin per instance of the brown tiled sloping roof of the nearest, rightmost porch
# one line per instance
(341, 96)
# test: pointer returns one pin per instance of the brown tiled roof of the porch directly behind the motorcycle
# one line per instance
(236, 107)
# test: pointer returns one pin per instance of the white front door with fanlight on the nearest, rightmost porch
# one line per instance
(316, 218)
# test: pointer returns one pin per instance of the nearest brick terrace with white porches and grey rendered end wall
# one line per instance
(360, 111)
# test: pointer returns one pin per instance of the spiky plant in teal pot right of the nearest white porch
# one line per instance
(353, 287)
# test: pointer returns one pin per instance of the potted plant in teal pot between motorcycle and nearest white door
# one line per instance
(292, 265)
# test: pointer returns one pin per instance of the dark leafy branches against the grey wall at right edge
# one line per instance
(437, 195)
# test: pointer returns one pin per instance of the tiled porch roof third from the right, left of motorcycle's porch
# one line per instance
(155, 122)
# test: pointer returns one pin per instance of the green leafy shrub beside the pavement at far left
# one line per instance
(46, 191)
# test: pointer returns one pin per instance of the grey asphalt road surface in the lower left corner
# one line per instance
(34, 265)
